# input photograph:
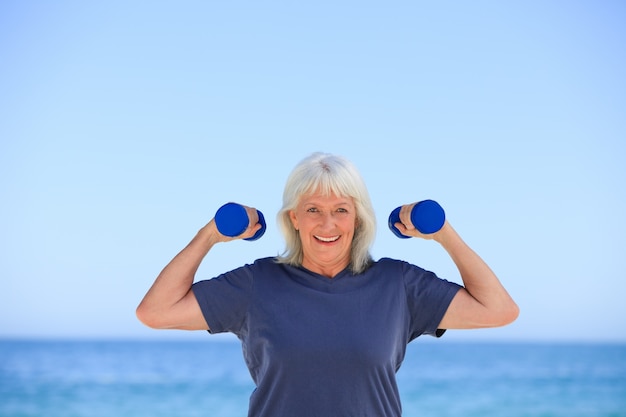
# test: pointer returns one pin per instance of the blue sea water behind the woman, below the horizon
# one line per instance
(208, 378)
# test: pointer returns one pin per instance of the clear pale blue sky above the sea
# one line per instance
(125, 125)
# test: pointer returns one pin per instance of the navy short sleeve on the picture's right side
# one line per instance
(428, 299)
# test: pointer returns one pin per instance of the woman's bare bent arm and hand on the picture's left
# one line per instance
(170, 302)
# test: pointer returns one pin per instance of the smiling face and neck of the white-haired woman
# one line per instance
(326, 226)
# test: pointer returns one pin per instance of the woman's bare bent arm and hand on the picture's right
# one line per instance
(483, 302)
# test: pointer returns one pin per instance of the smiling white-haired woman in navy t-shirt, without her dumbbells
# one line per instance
(324, 327)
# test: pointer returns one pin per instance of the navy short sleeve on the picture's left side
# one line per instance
(224, 300)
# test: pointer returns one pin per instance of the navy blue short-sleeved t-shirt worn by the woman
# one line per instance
(325, 347)
